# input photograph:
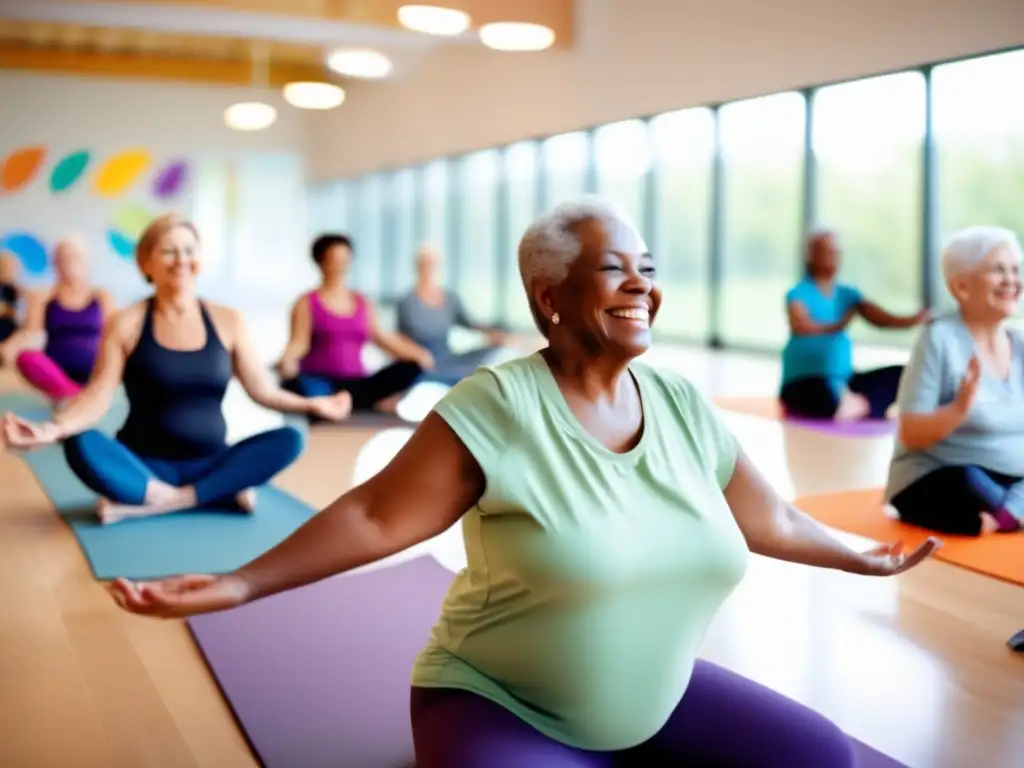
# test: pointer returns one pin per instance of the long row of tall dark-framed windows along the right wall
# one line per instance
(720, 196)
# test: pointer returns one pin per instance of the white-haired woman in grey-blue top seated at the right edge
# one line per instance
(959, 464)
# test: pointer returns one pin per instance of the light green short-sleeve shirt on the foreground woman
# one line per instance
(592, 576)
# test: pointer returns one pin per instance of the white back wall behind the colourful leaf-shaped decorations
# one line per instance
(245, 191)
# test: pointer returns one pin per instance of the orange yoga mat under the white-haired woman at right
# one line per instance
(862, 513)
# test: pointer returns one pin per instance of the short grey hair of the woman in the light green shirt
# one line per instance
(550, 245)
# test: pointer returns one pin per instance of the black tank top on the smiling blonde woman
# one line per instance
(176, 398)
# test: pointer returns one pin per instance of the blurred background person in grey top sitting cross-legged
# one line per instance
(426, 317)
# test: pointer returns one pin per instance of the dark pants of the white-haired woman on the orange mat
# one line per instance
(952, 500)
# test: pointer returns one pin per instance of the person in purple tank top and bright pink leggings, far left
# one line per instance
(72, 315)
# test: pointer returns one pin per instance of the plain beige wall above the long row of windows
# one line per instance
(644, 58)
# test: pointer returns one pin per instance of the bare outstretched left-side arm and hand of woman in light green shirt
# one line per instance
(420, 494)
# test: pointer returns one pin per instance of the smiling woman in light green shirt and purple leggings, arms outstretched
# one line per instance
(608, 514)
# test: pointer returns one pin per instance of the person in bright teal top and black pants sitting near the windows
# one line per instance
(819, 378)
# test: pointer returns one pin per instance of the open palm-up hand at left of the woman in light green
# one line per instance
(181, 596)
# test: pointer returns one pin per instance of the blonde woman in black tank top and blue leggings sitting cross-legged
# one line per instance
(176, 356)
